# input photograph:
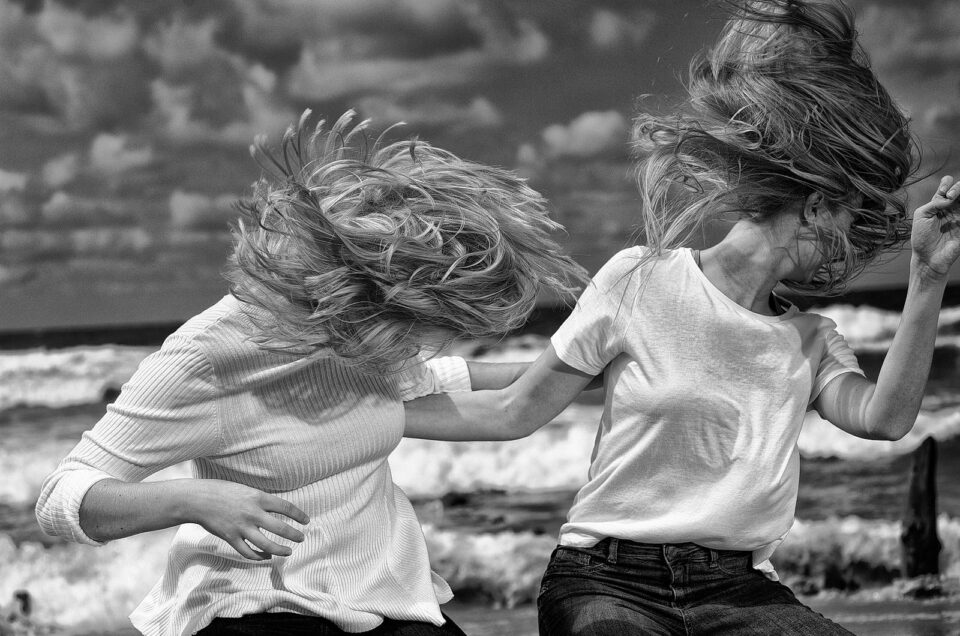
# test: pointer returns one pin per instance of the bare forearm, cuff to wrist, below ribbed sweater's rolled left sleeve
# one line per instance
(114, 509)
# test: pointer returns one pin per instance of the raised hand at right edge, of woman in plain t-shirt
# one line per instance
(935, 237)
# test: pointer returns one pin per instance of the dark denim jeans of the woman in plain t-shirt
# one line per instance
(620, 587)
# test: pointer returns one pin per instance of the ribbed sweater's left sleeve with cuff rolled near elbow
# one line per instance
(165, 414)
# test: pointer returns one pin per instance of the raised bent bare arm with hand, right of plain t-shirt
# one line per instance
(889, 408)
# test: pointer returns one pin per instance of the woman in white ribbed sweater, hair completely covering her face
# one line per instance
(286, 396)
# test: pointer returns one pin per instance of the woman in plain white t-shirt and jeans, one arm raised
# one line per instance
(708, 373)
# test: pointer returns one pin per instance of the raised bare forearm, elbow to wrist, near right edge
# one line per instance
(892, 409)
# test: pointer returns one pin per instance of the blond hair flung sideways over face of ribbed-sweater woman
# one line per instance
(375, 252)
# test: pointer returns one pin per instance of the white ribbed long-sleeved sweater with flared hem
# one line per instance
(309, 430)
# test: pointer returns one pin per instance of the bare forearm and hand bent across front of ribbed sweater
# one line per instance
(114, 509)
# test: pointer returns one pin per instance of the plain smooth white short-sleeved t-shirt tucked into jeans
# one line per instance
(704, 403)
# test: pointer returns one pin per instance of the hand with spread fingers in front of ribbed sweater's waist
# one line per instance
(237, 514)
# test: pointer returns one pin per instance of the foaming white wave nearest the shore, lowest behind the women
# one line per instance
(79, 587)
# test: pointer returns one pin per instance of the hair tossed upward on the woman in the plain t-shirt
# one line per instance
(784, 105)
